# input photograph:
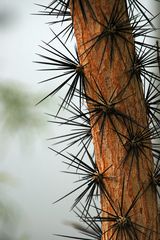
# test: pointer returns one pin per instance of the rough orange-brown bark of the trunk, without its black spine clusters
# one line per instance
(108, 69)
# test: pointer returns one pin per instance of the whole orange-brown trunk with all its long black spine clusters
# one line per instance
(112, 75)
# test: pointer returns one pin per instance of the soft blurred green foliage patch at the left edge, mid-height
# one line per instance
(17, 109)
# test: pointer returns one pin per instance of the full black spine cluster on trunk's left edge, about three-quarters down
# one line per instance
(92, 180)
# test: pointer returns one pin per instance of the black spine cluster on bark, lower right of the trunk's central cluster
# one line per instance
(137, 141)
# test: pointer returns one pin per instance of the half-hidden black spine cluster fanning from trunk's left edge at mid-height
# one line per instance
(81, 129)
